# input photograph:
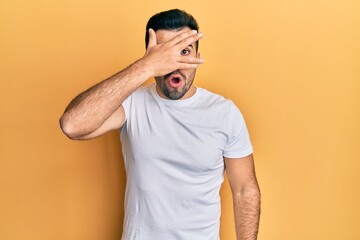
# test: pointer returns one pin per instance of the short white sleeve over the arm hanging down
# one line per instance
(238, 144)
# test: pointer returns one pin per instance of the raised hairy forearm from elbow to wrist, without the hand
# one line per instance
(91, 108)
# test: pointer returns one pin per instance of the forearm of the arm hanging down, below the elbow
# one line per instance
(247, 212)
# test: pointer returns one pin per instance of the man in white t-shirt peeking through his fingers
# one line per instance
(176, 139)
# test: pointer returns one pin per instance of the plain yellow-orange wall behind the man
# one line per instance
(293, 68)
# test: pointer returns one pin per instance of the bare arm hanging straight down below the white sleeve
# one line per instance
(246, 196)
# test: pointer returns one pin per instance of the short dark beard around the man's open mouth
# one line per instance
(174, 93)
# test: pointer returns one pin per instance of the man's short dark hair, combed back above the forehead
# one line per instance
(171, 20)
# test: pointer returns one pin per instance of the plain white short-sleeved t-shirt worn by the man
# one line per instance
(173, 152)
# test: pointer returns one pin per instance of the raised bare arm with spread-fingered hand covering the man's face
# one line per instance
(99, 109)
